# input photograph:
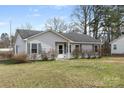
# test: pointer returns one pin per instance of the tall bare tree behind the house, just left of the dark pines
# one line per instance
(82, 16)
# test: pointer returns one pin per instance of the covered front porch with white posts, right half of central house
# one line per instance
(67, 49)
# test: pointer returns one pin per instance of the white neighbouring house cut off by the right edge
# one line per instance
(117, 46)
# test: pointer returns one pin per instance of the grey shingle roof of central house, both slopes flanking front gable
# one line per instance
(76, 37)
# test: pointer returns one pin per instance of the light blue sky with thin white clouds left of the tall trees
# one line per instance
(35, 15)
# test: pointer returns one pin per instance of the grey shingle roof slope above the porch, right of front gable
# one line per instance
(78, 37)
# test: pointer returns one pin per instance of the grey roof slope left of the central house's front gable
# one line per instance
(27, 33)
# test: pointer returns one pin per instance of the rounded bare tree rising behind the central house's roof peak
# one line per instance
(56, 24)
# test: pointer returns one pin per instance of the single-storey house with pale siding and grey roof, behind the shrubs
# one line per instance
(34, 42)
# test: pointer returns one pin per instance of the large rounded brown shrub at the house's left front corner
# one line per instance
(19, 58)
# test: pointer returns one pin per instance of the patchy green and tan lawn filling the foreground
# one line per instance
(104, 72)
